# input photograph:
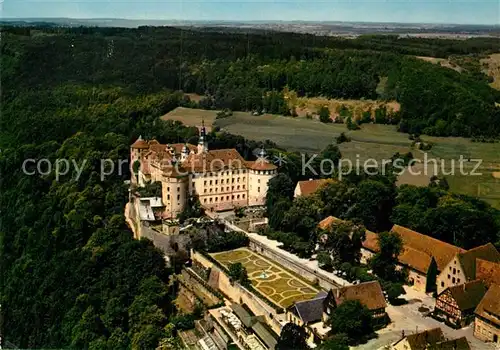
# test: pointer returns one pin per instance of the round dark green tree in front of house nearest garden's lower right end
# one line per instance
(353, 319)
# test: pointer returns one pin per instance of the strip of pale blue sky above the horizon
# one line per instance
(406, 11)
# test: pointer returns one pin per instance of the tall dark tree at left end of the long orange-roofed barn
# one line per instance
(385, 261)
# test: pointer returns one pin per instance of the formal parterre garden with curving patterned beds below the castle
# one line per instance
(272, 280)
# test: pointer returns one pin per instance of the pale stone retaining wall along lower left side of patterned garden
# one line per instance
(239, 294)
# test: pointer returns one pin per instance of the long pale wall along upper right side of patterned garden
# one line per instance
(302, 270)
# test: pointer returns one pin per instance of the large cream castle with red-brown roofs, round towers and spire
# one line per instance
(221, 179)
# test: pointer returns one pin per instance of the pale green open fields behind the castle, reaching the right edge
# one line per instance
(372, 141)
